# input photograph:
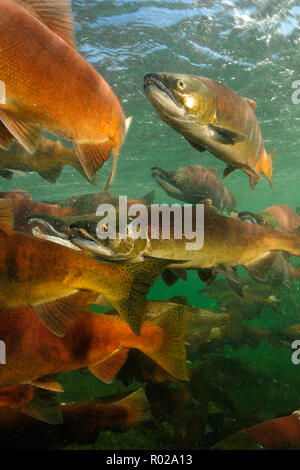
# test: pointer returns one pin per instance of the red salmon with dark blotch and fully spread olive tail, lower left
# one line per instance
(34, 352)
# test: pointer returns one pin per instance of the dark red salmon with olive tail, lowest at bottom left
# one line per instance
(82, 423)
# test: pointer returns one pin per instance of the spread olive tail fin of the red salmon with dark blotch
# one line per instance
(171, 355)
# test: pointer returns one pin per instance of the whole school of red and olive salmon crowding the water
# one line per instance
(54, 267)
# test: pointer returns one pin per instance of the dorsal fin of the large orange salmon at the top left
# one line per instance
(55, 14)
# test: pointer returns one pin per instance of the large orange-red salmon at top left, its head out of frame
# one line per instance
(49, 85)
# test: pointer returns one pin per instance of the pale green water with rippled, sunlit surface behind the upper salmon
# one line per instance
(250, 46)
